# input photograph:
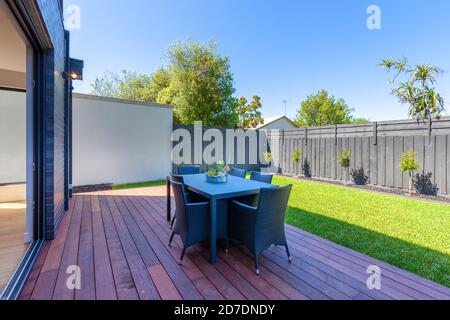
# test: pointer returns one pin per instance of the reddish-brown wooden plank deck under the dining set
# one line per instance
(119, 240)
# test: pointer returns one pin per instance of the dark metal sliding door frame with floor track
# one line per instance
(36, 97)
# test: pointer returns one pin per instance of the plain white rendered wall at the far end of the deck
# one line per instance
(120, 142)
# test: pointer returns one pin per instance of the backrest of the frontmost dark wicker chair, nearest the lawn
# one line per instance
(272, 206)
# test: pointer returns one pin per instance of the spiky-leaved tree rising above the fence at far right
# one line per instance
(417, 88)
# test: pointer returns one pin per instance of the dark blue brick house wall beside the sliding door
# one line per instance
(54, 115)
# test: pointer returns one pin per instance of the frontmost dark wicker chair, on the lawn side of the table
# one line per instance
(259, 227)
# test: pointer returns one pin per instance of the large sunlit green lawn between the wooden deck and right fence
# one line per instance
(410, 234)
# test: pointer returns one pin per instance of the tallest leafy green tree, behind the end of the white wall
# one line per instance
(201, 87)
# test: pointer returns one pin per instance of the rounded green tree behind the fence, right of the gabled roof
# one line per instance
(323, 110)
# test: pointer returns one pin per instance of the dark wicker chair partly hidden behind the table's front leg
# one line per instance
(192, 223)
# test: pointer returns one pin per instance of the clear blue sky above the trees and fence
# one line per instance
(279, 50)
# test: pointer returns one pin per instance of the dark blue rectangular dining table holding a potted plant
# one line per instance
(234, 188)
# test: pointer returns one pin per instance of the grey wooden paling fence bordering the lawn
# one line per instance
(375, 147)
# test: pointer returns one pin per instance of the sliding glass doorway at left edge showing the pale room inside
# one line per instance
(17, 147)
